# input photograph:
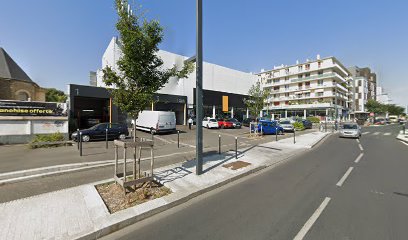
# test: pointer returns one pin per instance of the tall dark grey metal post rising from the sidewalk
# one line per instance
(199, 87)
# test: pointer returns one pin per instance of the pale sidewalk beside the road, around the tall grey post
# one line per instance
(79, 212)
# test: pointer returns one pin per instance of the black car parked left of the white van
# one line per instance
(98, 132)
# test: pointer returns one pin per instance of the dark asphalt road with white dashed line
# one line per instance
(313, 196)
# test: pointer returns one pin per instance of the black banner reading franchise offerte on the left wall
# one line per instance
(22, 108)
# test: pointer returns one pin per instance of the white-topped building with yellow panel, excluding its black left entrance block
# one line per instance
(224, 88)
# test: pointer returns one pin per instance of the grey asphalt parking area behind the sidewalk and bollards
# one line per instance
(166, 148)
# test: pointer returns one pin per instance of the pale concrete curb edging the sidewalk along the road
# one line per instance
(126, 222)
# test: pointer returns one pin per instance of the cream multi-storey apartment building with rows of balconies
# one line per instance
(313, 88)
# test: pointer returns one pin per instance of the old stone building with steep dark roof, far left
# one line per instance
(15, 84)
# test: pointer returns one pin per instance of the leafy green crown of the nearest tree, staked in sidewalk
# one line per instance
(141, 72)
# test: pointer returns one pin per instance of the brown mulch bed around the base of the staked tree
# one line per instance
(115, 199)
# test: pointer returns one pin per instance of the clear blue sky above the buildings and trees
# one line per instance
(58, 42)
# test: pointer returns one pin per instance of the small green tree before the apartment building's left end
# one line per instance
(256, 99)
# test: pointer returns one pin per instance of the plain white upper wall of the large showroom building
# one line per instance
(215, 77)
